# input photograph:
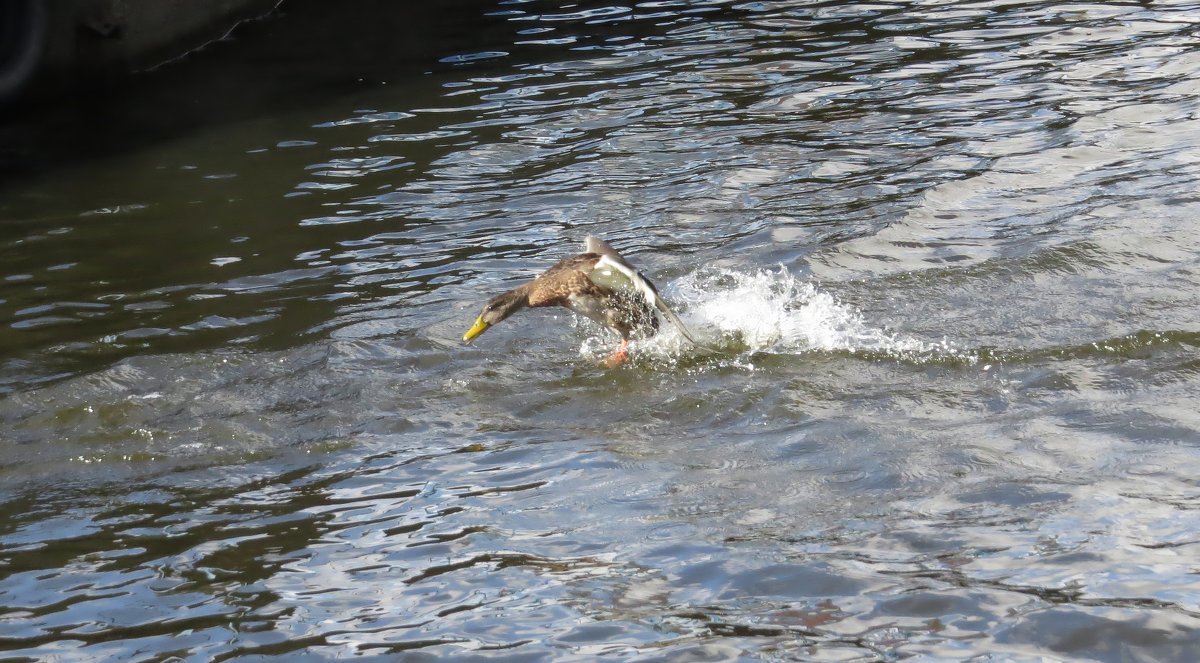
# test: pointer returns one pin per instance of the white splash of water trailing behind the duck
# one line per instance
(767, 312)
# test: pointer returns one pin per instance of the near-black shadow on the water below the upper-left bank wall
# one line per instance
(304, 52)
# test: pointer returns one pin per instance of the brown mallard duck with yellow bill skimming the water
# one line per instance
(598, 284)
